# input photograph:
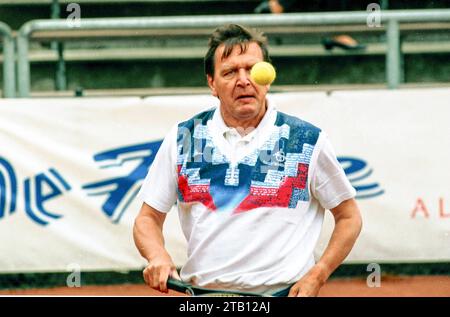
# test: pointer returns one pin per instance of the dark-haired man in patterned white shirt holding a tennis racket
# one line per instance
(251, 185)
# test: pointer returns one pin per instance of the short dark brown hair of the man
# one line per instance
(232, 35)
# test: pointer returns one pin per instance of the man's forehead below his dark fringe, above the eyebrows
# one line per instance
(252, 54)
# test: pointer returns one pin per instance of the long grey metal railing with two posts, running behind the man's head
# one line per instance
(390, 19)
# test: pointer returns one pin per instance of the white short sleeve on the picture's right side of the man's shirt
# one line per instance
(329, 185)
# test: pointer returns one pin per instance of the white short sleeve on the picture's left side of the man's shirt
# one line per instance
(159, 189)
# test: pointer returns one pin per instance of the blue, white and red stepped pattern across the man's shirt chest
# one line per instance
(273, 175)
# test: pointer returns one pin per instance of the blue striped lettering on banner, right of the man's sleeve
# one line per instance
(358, 172)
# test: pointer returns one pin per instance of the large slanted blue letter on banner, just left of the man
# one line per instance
(120, 191)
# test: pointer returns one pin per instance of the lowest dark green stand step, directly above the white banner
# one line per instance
(306, 70)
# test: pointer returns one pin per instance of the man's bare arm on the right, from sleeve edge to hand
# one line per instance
(348, 225)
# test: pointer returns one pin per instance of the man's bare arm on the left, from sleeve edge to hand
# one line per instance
(149, 240)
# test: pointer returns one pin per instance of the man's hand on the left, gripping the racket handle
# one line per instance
(158, 271)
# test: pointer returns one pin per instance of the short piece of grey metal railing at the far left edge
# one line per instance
(9, 80)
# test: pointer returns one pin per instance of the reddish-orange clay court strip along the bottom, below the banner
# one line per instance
(391, 286)
